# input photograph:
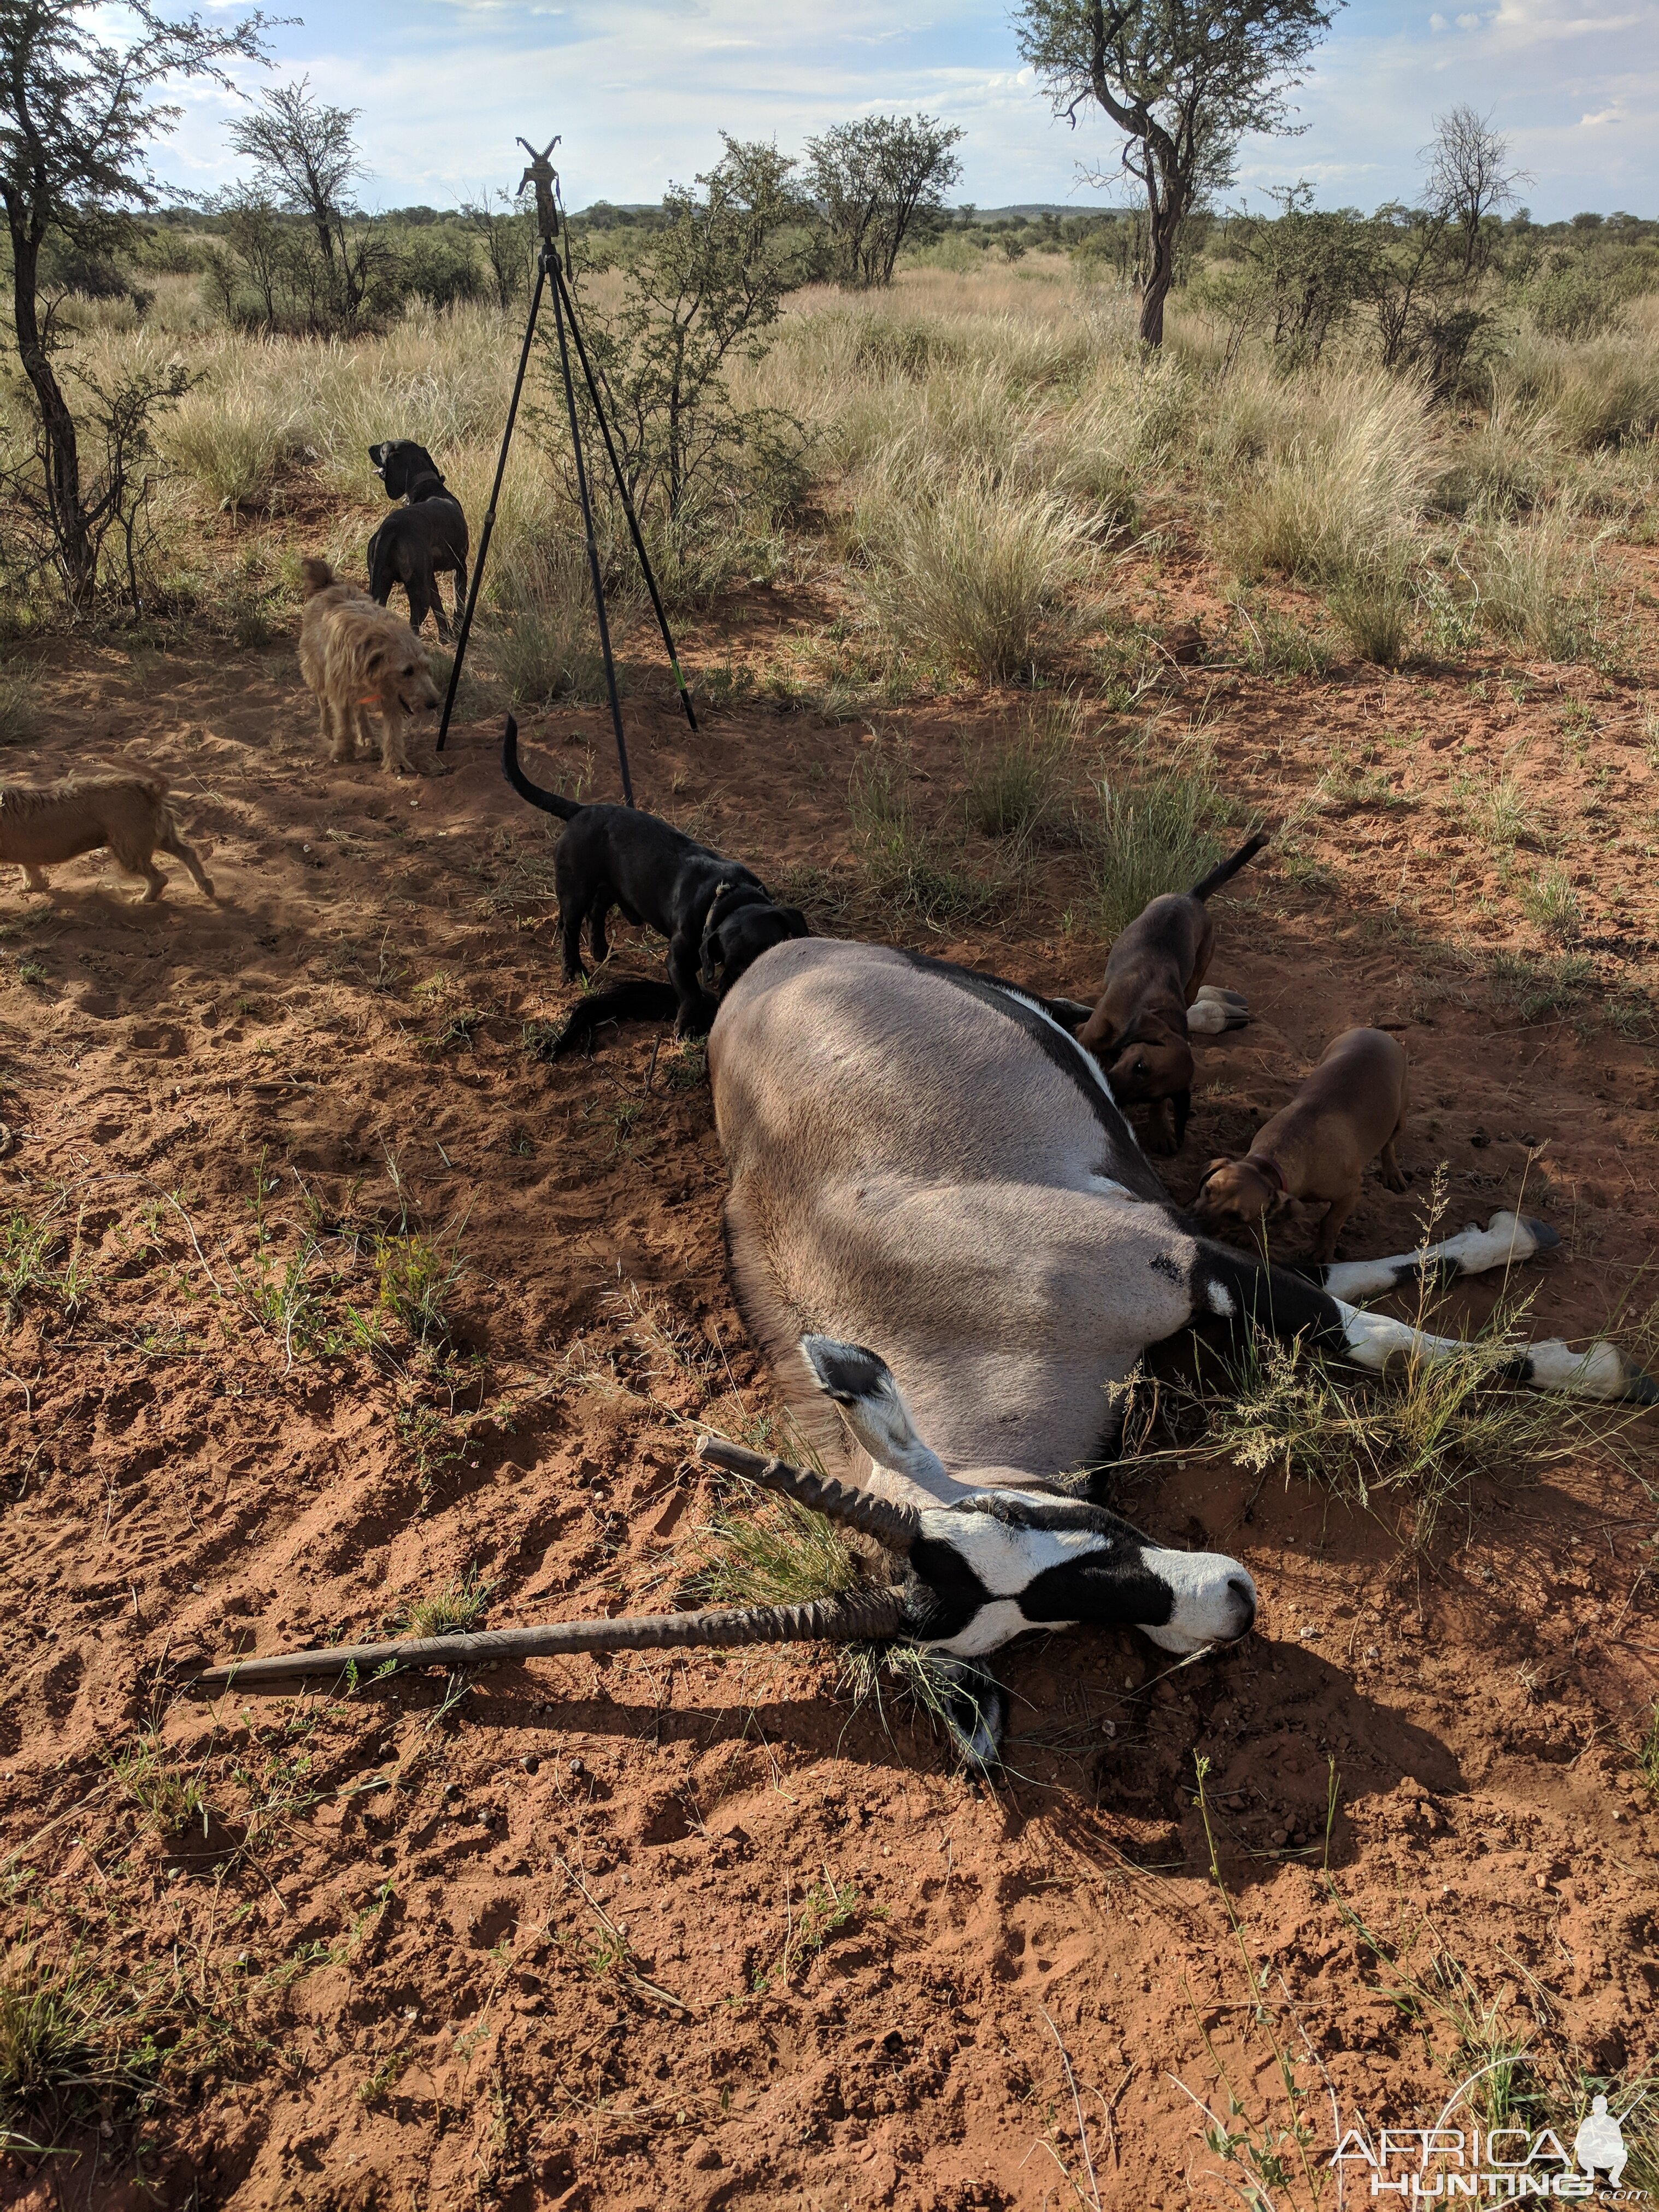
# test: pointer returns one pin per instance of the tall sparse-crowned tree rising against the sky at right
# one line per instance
(1185, 81)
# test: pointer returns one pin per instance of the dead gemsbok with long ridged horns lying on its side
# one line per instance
(924, 1160)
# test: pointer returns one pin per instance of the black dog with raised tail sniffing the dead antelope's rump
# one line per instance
(716, 915)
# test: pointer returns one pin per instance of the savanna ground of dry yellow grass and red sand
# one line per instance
(333, 1311)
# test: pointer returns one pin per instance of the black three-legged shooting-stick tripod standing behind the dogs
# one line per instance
(547, 269)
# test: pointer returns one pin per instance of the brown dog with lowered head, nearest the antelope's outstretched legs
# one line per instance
(1348, 1112)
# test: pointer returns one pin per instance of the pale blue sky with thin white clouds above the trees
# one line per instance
(640, 92)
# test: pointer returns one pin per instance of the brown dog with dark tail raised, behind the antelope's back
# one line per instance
(1140, 1025)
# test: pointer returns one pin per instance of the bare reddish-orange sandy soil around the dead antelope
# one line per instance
(415, 1996)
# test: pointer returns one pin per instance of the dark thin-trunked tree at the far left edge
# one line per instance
(76, 118)
